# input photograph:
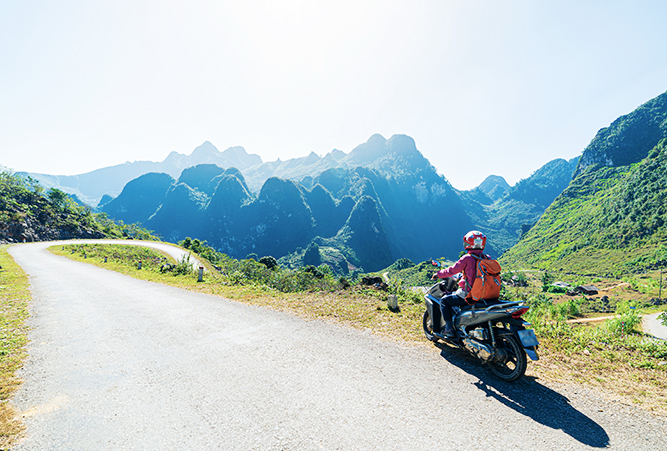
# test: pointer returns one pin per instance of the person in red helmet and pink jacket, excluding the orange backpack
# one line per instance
(474, 243)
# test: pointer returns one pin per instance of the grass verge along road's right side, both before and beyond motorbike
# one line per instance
(623, 365)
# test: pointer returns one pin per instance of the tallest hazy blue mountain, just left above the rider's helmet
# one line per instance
(416, 204)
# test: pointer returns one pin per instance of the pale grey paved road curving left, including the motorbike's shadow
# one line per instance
(118, 363)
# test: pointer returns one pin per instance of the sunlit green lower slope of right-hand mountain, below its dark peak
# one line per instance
(610, 220)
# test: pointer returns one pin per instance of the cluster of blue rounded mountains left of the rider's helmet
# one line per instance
(369, 215)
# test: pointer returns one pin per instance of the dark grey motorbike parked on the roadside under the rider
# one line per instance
(492, 331)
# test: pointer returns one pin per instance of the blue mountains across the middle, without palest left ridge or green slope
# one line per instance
(361, 210)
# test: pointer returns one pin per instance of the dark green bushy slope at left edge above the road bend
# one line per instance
(29, 213)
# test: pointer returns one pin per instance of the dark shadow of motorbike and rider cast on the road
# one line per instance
(530, 398)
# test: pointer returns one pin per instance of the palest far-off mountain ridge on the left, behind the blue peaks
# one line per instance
(91, 186)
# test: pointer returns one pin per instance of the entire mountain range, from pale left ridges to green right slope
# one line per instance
(603, 212)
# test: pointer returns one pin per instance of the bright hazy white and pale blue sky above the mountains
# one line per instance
(484, 87)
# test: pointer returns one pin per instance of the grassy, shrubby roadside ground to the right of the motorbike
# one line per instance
(611, 354)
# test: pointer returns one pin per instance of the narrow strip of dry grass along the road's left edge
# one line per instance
(14, 298)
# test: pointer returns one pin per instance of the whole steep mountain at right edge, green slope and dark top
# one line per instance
(612, 218)
